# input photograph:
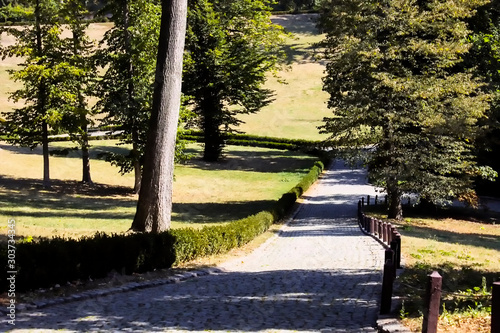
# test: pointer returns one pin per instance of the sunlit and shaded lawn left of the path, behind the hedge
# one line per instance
(247, 181)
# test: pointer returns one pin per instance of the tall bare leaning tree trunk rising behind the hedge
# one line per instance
(154, 207)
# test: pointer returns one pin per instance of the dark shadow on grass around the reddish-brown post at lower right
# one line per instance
(456, 282)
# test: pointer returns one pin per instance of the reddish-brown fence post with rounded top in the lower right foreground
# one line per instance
(432, 302)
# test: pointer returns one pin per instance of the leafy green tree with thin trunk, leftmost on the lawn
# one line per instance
(39, 45)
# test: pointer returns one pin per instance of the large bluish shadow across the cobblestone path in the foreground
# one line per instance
(286, 300)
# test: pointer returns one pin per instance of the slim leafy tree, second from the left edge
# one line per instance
(80, 76)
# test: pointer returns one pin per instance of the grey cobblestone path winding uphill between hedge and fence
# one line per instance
(318, 274)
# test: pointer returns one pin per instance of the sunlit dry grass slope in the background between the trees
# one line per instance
(300, 105)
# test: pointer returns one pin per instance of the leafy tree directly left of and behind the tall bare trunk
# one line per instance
(126, 89)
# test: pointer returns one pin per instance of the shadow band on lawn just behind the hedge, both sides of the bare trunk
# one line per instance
(72, 200)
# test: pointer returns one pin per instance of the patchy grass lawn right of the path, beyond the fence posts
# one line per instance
(463, 247)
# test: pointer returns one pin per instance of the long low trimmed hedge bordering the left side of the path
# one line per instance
(46, 262)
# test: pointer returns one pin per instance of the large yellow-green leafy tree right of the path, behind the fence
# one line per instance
(395, 87)
